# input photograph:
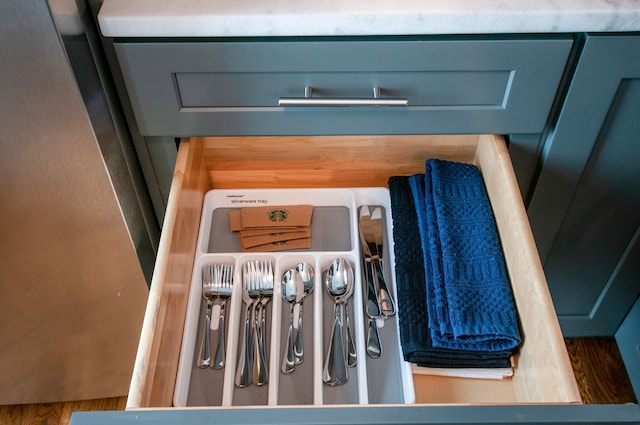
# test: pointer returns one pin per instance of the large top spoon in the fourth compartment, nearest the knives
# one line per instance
(339, 283)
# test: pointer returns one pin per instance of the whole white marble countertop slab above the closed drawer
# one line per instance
(237, 18)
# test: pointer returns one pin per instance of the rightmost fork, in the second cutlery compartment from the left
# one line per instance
(265, 283)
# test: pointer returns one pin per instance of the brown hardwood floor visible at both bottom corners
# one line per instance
(596, 362)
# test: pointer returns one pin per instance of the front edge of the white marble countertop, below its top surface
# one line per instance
(117, 21)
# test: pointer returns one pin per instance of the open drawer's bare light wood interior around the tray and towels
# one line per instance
(543, 373)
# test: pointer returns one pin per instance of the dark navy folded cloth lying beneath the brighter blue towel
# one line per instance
(413, 313)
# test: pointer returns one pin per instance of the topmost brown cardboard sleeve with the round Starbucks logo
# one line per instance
(276, 216)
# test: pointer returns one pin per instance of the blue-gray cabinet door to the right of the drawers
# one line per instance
(585, 209)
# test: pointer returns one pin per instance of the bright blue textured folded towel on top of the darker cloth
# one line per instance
(469, 297)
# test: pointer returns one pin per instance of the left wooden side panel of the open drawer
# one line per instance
(156, 362)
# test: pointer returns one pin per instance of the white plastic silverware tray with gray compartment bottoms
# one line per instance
(334, 230)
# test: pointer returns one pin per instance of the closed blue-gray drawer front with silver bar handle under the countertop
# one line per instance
(469, 85)
